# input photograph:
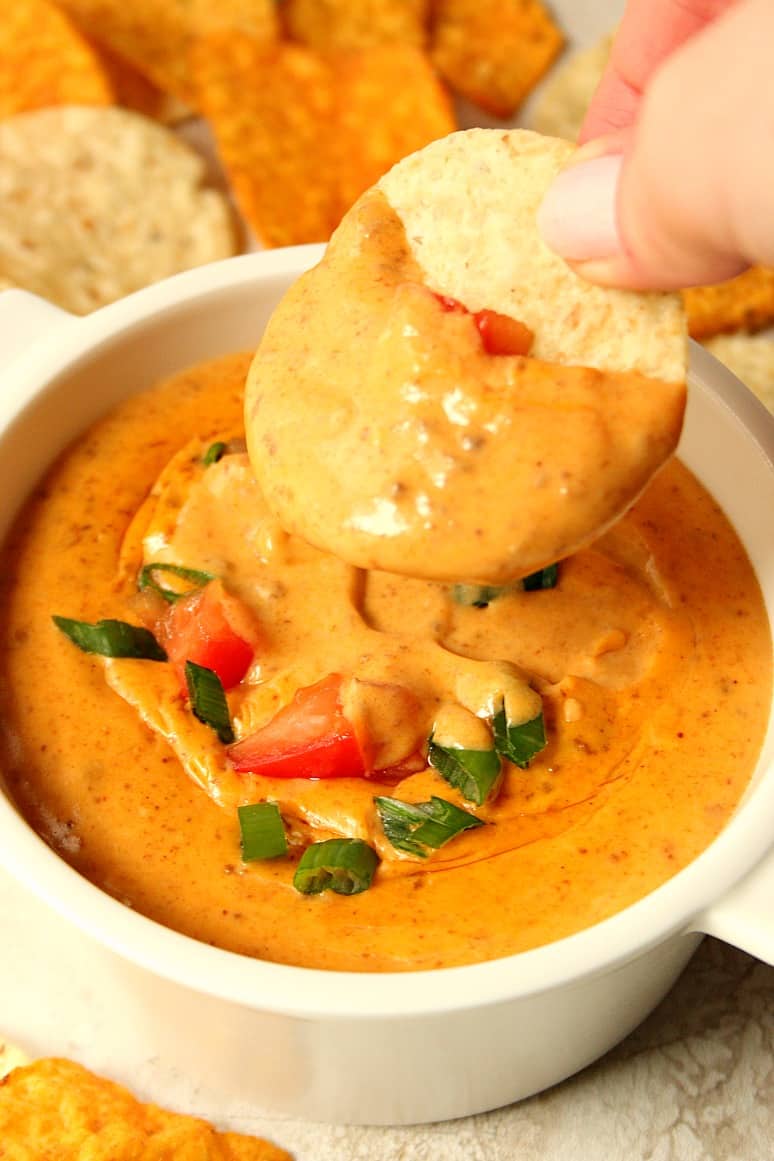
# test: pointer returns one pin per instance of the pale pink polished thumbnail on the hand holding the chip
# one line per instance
(578, 217)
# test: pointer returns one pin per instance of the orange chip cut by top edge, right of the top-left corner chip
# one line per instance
(157, 38)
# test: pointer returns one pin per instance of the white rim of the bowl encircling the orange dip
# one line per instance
(319, 994)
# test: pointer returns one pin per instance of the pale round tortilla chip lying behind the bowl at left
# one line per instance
(96, 204)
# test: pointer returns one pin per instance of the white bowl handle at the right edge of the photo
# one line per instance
(743, 918)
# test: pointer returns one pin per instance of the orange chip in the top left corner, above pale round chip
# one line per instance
(45, 61)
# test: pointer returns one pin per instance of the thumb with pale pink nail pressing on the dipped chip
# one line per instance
(684, 197)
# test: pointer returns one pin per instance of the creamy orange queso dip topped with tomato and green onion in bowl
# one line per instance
(338, 767)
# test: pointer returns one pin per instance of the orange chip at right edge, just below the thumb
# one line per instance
(746, 304)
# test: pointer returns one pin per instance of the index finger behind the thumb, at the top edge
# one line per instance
(650, 32)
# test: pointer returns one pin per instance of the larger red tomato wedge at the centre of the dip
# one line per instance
(310, 738)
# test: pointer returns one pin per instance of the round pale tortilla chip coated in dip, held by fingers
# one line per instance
(385, 430)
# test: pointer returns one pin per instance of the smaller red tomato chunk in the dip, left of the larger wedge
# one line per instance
(209, 628)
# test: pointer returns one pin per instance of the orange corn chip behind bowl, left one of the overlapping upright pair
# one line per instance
(272, 113)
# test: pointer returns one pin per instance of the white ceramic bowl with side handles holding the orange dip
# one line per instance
(384, 1049)
